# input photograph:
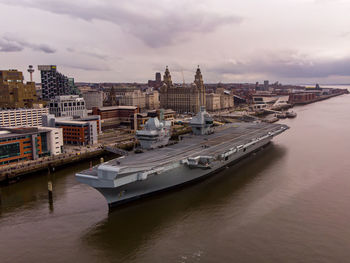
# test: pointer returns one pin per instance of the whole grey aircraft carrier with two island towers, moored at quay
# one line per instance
(205, 152)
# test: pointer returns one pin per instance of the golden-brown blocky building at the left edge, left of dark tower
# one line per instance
(14, 93)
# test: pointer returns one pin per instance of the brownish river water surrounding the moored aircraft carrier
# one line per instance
(288, 203)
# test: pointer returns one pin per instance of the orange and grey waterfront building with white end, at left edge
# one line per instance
(22, 144)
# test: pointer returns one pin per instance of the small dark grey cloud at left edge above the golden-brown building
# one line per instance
(12, 44)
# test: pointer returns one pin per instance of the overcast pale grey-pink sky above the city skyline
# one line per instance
(291, 41)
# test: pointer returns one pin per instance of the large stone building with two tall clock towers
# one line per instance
(182, 98)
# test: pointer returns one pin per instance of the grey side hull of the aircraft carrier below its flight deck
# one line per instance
(179, 173)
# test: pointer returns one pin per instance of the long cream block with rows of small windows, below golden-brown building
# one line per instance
(22, 117)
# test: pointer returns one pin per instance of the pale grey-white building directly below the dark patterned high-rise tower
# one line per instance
(68, 106)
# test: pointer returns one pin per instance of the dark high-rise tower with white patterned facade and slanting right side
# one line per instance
(53, 83)
